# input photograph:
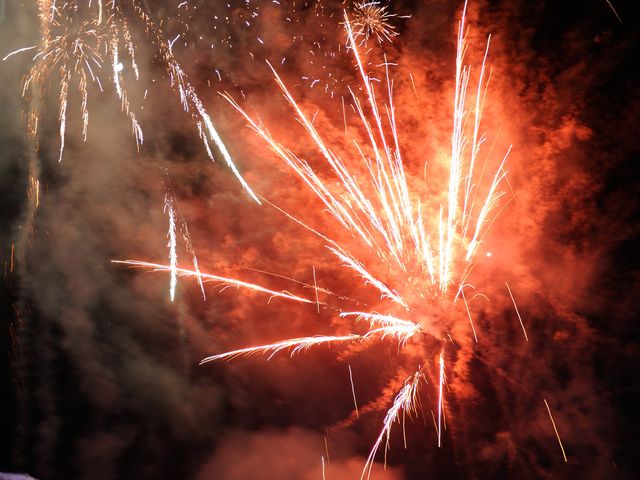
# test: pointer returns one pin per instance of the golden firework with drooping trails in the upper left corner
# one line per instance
(83, 42)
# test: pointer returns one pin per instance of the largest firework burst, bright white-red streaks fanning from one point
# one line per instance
(411, 249)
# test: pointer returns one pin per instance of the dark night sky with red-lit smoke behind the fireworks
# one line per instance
(100, 375)
